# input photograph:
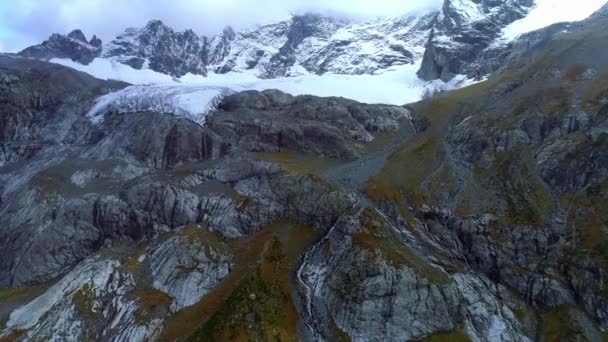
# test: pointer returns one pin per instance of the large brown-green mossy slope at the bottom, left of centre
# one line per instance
(265, 265)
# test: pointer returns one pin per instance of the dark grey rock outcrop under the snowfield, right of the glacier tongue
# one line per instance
(272, 121)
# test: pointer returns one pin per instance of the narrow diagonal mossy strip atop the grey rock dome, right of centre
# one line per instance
(379, 239)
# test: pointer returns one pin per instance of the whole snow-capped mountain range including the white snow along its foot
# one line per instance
(464, 39)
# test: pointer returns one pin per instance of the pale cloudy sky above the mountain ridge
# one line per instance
(26, 22)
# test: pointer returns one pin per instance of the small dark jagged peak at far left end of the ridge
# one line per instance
(73, 46)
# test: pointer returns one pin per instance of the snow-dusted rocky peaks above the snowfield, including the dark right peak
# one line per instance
(450, 40)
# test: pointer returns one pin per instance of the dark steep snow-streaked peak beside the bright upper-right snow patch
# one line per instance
(462, 31)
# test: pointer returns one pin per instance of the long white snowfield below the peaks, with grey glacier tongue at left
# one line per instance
(193, 96)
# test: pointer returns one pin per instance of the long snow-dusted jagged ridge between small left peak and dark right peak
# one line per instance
(305, 44)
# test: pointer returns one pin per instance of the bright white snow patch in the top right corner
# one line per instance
(548, 12)
